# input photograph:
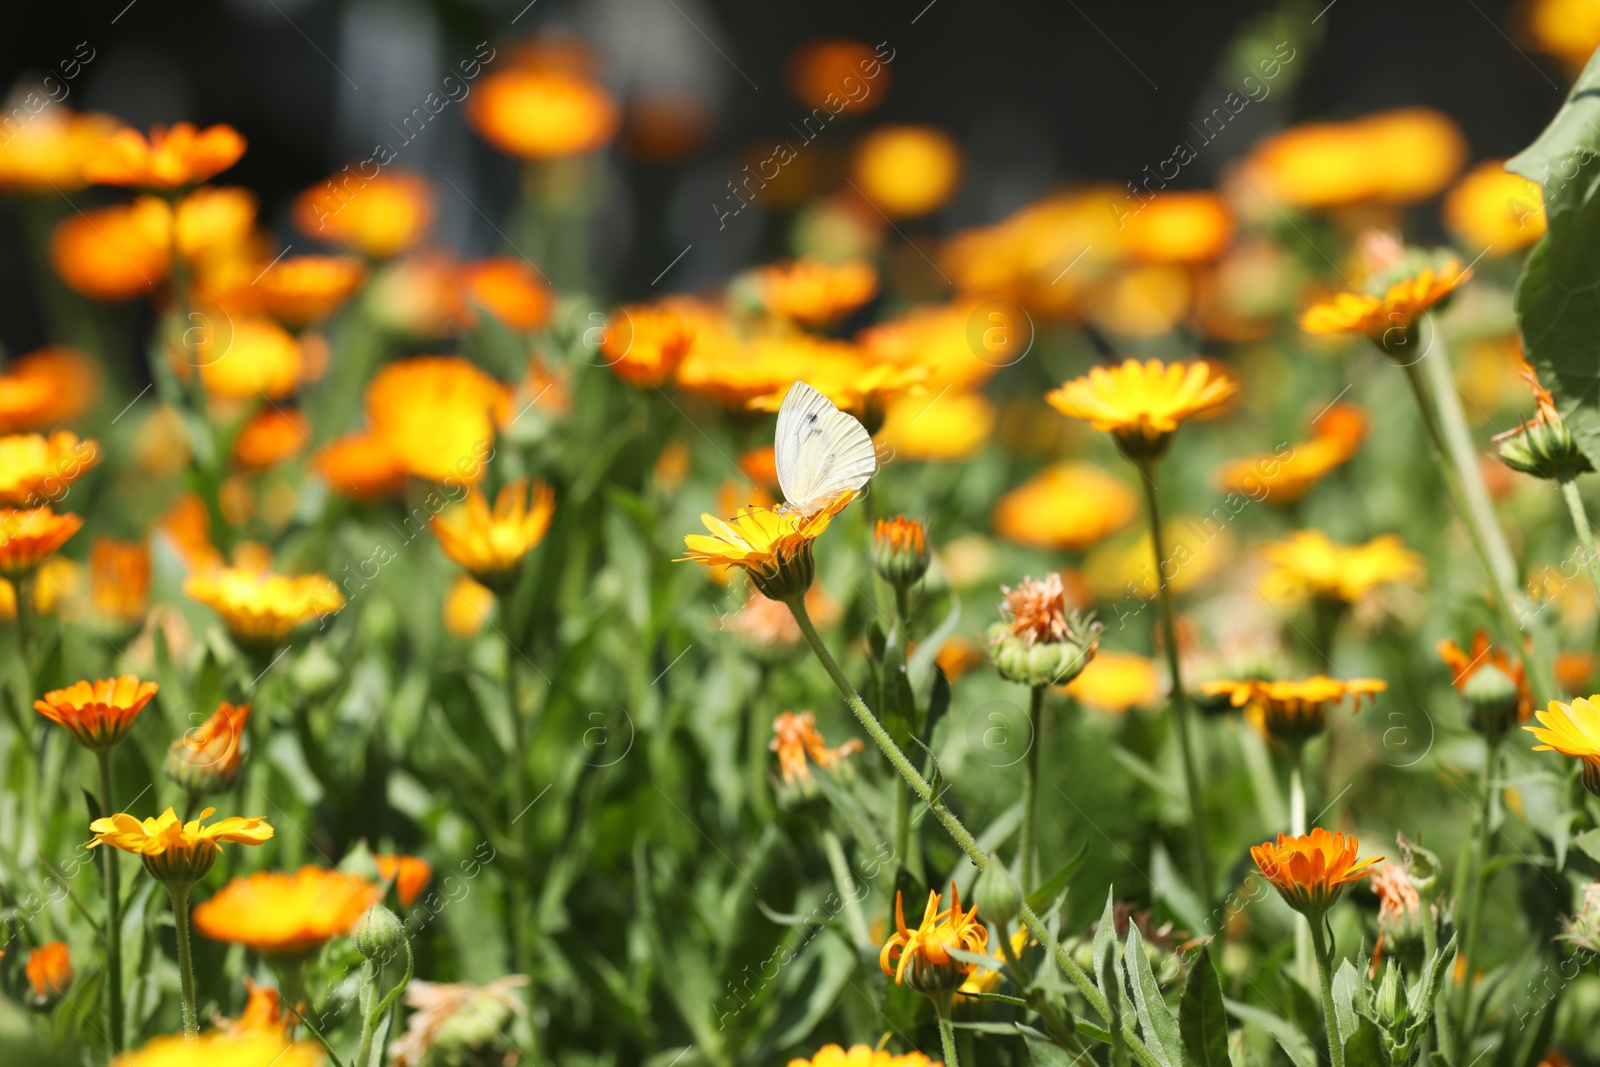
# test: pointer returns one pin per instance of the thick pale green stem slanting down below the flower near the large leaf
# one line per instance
(1458, 462)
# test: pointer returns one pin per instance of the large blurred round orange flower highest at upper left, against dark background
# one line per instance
(545, 113)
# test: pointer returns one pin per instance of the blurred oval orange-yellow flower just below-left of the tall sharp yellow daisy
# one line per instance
(1066, 506)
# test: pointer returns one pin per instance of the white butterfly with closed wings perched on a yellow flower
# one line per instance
(822, 452)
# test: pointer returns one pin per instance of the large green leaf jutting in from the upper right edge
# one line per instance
(1559, 292)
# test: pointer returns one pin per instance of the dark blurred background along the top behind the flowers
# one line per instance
(1038, 94)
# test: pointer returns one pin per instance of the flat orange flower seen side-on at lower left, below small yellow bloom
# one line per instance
(286, 916)
